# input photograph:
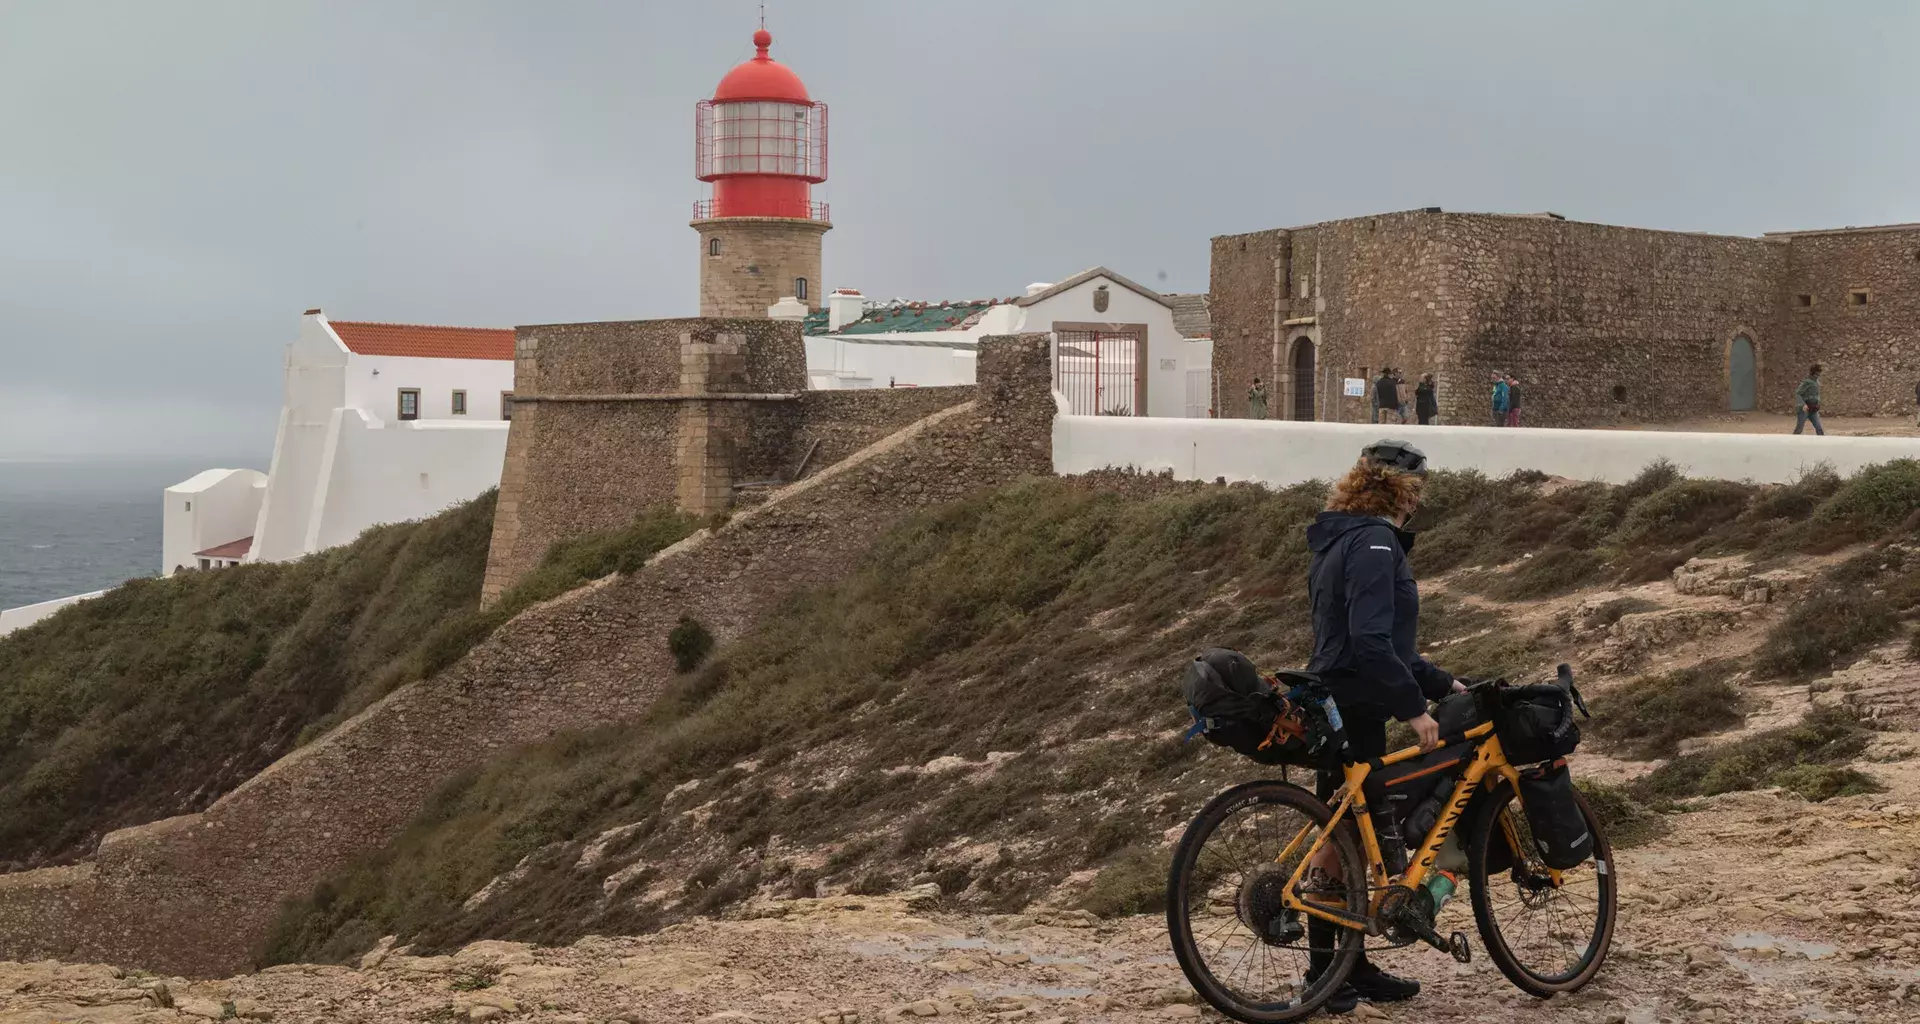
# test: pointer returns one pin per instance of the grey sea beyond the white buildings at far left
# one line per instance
(72, 527)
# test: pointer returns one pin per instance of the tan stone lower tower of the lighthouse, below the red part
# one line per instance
(759, 262)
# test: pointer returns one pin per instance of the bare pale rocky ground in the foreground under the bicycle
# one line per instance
(1756, 908)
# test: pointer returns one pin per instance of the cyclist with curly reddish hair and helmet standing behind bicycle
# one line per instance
(1366, 618)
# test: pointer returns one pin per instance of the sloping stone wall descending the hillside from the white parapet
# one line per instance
(199, 894)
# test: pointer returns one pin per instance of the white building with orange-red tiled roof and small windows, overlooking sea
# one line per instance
(381, 424)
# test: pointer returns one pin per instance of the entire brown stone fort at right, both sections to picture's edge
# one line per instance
(1600, 324)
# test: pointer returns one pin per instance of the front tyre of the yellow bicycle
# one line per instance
(1606, 912)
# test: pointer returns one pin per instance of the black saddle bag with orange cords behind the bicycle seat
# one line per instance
(1236, 708)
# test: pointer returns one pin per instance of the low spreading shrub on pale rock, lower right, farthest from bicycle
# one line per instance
(1829, 737)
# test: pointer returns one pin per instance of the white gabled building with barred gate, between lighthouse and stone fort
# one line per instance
(1116, 345)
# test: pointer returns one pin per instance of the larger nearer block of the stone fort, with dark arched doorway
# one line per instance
(1600, 324)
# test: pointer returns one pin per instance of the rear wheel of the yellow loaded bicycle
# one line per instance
(1245, 952)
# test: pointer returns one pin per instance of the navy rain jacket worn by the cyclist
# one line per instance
(1366, 620)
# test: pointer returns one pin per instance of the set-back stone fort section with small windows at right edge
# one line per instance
(1871, 353)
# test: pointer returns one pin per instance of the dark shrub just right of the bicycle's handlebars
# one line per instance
(1648, 718)
